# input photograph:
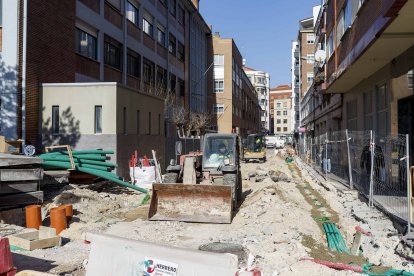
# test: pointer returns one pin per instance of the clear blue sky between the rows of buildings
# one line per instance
(262, 29)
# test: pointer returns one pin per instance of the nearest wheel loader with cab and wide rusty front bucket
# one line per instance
(204, 187)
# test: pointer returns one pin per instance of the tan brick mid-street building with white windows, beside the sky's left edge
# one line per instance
(233, 99)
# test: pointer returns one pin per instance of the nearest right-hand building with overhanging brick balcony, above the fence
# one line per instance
(370, 60)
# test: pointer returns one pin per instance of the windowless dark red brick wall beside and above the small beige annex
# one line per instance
(50, 53)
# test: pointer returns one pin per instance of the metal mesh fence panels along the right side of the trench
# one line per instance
(376, 165)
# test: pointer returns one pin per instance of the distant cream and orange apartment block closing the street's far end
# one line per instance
(282, 109)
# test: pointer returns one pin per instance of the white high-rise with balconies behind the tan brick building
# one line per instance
(261, 82)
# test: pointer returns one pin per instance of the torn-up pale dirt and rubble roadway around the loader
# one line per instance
(280, 222)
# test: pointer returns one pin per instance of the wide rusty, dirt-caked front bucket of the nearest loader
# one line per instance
(191, 203)
